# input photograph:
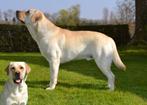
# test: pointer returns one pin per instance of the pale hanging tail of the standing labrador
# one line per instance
(116, 58)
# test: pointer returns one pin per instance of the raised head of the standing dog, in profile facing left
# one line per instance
(29, 17)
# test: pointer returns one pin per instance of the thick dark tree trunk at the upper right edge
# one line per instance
(141, 21)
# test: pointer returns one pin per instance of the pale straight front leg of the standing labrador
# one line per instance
(54, 68)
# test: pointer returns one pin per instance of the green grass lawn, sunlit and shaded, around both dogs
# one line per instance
(81, 82)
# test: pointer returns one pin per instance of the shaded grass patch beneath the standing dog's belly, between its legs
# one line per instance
(84, 67)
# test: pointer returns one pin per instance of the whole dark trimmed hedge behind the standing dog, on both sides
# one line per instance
(16, 38)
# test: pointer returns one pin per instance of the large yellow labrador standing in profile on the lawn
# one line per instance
(59, 45)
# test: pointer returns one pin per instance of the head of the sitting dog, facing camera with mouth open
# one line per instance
(17, 71)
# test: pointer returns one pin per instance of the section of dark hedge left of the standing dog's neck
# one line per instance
(16, 38)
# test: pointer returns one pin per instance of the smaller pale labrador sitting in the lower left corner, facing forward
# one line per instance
(15, 90)
